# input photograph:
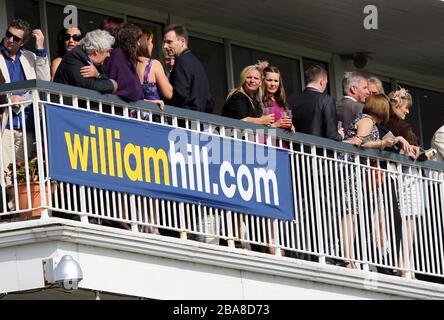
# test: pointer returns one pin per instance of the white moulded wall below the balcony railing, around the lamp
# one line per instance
(157, 267)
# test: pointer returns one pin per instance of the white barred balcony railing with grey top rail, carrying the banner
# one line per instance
(327, 189)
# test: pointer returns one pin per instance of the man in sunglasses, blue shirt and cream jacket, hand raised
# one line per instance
(18, 64)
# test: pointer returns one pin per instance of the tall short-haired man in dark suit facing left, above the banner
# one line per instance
(191, 89)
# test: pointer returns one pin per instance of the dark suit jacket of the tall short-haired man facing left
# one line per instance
(191, 89)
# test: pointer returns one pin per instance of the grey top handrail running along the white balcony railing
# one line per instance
(220, 120)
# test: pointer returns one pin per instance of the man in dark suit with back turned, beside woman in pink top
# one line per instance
(315, 111)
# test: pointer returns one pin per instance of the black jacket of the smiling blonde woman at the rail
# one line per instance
(239, 106)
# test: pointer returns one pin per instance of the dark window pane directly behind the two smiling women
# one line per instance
(289, 68)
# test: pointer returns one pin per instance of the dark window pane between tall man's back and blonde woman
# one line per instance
(212, 56)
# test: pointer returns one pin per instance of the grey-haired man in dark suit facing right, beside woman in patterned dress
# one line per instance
(356, 92)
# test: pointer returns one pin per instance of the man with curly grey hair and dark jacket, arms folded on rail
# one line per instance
(92, 50)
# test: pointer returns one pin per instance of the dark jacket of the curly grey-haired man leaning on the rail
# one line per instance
(68, 72)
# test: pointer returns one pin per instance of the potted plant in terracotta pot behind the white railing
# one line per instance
(22, 188)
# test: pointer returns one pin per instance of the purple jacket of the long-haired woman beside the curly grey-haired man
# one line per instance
(120, 69)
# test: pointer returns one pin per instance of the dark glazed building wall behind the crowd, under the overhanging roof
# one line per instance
(218, 48)
